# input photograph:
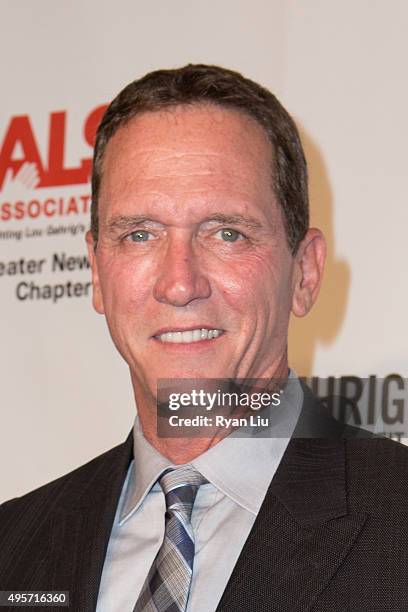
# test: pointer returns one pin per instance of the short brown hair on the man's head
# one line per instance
(198, 84)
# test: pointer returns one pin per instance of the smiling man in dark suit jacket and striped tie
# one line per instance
(200, 249)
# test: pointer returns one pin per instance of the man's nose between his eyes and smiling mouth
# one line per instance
(180, 278)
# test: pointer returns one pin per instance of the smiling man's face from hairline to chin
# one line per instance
(191, 238)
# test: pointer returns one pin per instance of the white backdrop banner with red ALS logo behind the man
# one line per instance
(337, 67)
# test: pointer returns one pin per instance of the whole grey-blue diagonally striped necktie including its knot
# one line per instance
(167, 585)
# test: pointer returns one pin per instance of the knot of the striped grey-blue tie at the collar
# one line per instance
(180, 486)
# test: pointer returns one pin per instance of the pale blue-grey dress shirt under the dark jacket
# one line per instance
(239, 471)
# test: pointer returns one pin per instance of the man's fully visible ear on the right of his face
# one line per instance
(309, 265)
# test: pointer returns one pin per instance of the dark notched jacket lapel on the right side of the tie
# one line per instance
(303, 530)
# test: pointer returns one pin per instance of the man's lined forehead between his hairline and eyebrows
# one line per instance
(204, 150)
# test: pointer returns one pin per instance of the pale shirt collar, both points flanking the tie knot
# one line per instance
(240, 467)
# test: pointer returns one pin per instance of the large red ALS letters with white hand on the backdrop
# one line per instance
(33, 171)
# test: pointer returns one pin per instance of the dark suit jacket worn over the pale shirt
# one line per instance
(331, 535)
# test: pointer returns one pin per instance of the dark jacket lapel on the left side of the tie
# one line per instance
(81, 525)
